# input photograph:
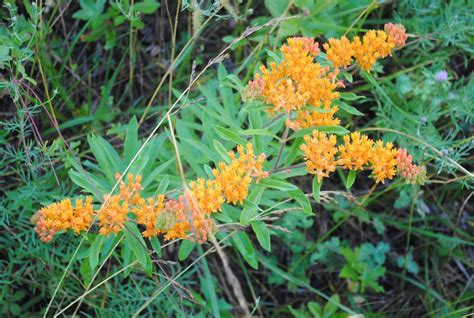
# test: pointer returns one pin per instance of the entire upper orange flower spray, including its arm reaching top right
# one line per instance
(298, 81)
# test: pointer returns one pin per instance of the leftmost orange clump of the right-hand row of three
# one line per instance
(319, 154)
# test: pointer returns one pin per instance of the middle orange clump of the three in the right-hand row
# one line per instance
(355, 153)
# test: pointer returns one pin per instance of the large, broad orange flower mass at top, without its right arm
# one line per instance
(296, 82)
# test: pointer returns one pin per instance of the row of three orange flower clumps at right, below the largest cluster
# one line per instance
(357, 153)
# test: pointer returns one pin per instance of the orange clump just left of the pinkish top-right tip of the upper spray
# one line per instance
(374, 45)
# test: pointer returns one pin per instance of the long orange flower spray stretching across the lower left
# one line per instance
(190, 213)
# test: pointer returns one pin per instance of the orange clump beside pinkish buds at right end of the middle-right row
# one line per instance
(383, 161)
